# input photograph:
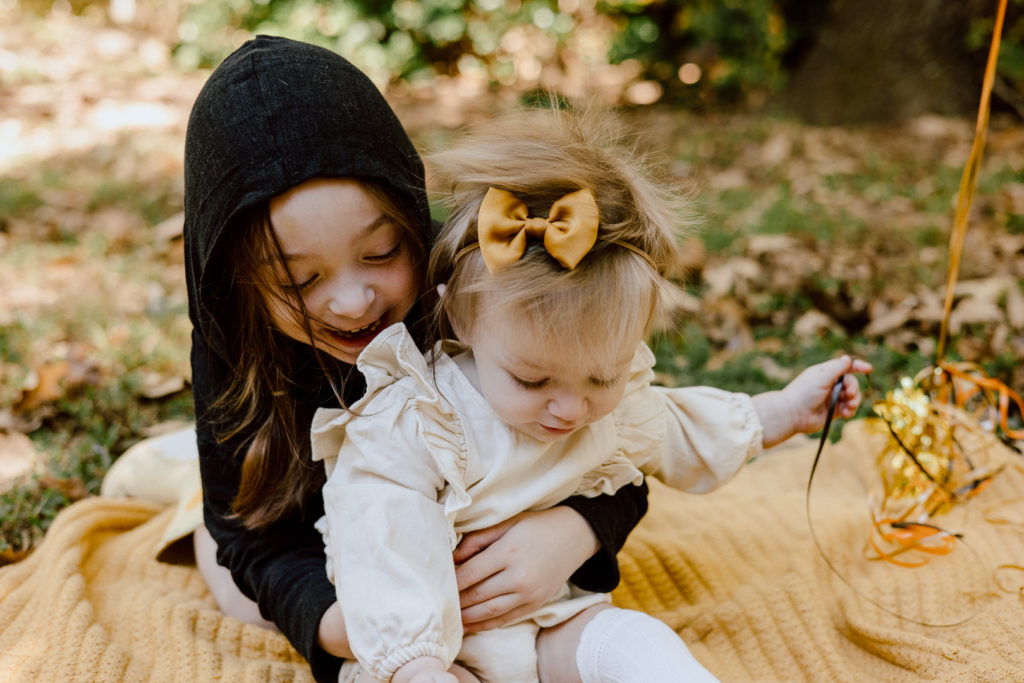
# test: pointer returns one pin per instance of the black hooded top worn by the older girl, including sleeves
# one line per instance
(275, 114)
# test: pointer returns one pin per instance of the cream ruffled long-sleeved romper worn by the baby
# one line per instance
(422, 459)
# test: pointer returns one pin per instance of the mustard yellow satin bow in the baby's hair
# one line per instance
(504, 225)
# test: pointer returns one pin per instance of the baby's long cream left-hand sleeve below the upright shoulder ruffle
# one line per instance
(390, 542)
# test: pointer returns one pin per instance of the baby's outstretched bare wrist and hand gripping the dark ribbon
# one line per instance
(802, 406)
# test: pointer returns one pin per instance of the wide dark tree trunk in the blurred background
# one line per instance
(886, 61)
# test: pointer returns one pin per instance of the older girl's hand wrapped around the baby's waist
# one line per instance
(513, 569)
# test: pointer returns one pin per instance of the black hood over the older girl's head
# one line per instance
(275, 114)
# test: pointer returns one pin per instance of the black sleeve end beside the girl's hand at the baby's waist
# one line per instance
(612, 518)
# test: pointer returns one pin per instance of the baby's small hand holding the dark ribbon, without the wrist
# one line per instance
(809, 395)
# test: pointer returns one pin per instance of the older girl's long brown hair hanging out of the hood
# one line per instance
(263, 397)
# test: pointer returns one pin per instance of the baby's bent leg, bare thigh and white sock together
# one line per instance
(605, 645)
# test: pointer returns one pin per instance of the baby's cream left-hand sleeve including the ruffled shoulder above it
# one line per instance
(390, 509)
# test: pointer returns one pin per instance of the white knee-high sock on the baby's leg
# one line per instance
(627, 647)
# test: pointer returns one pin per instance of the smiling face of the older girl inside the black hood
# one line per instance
(350, 262)
